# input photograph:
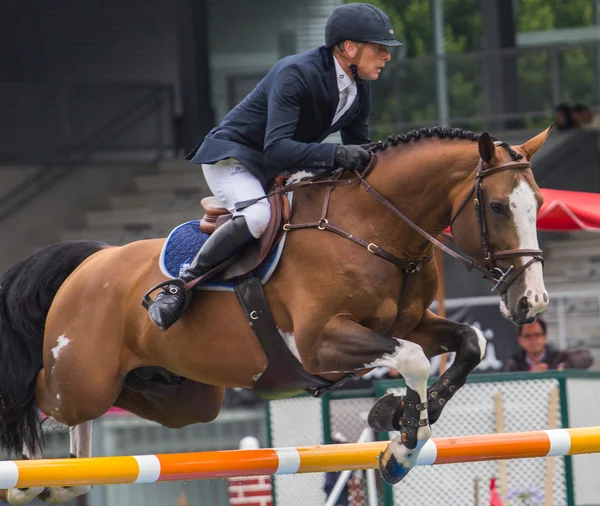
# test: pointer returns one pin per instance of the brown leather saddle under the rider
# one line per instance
(250, 257)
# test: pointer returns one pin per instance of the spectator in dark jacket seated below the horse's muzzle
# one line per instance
(536, 355)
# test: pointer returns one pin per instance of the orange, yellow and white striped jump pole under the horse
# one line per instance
(233, 463)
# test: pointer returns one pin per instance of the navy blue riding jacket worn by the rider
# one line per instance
(282, 122)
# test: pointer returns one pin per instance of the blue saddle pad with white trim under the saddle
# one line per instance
(186, 240)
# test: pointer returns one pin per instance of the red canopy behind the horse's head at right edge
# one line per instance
(567, 211)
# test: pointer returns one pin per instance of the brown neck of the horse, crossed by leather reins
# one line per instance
(419, 180)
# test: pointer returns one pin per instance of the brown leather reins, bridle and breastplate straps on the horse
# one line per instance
(490, 270)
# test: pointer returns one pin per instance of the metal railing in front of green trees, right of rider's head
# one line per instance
(496, 90)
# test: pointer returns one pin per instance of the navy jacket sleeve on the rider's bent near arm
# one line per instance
(280, 148)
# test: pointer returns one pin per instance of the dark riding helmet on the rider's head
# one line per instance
(361, 23)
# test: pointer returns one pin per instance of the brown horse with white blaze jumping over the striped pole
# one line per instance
(72, 327)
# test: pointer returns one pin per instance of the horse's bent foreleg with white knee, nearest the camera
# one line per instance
(345, 345)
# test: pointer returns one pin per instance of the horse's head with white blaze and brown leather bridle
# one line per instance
(494, 221)
